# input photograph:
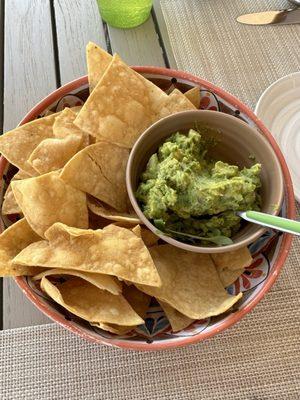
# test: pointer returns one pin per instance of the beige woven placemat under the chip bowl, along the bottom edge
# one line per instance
(257, 359)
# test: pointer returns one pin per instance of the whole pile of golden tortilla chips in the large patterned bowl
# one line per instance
(77, 234)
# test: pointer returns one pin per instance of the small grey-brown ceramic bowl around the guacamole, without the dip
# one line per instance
(236, 143)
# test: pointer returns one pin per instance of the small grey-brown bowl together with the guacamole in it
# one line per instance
(190, 173)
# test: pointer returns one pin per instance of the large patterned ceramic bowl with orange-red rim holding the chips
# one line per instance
(269, 251)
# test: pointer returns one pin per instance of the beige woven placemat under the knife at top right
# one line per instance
(244, 60)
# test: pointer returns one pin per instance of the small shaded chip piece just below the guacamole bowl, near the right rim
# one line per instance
(236, 259)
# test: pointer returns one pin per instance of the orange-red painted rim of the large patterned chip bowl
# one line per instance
(284, 247)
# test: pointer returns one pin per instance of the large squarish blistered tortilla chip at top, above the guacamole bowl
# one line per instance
(122, 105)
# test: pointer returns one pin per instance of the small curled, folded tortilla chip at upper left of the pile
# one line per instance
(53, 153)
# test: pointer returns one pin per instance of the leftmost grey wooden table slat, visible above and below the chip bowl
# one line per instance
(29, 75)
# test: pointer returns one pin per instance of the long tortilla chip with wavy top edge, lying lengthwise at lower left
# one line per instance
(112, 250)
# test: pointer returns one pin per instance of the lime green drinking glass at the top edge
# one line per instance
(125, 13)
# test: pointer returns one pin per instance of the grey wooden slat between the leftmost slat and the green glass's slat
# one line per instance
(77, 23)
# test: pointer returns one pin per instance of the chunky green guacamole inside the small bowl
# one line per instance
(192, 197)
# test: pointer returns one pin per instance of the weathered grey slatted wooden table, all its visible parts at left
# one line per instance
(43, 47)
